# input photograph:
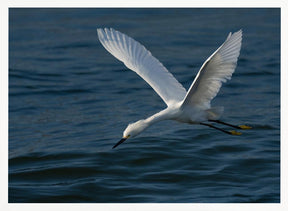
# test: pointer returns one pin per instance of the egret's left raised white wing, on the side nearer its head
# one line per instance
(137, 58)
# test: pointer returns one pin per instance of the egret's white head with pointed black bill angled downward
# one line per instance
(132, 130)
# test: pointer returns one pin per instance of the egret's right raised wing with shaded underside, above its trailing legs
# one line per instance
(218, 68)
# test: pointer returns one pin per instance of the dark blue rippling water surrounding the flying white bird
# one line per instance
(70, 100)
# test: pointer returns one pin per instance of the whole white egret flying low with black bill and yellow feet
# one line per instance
(191, 107)
